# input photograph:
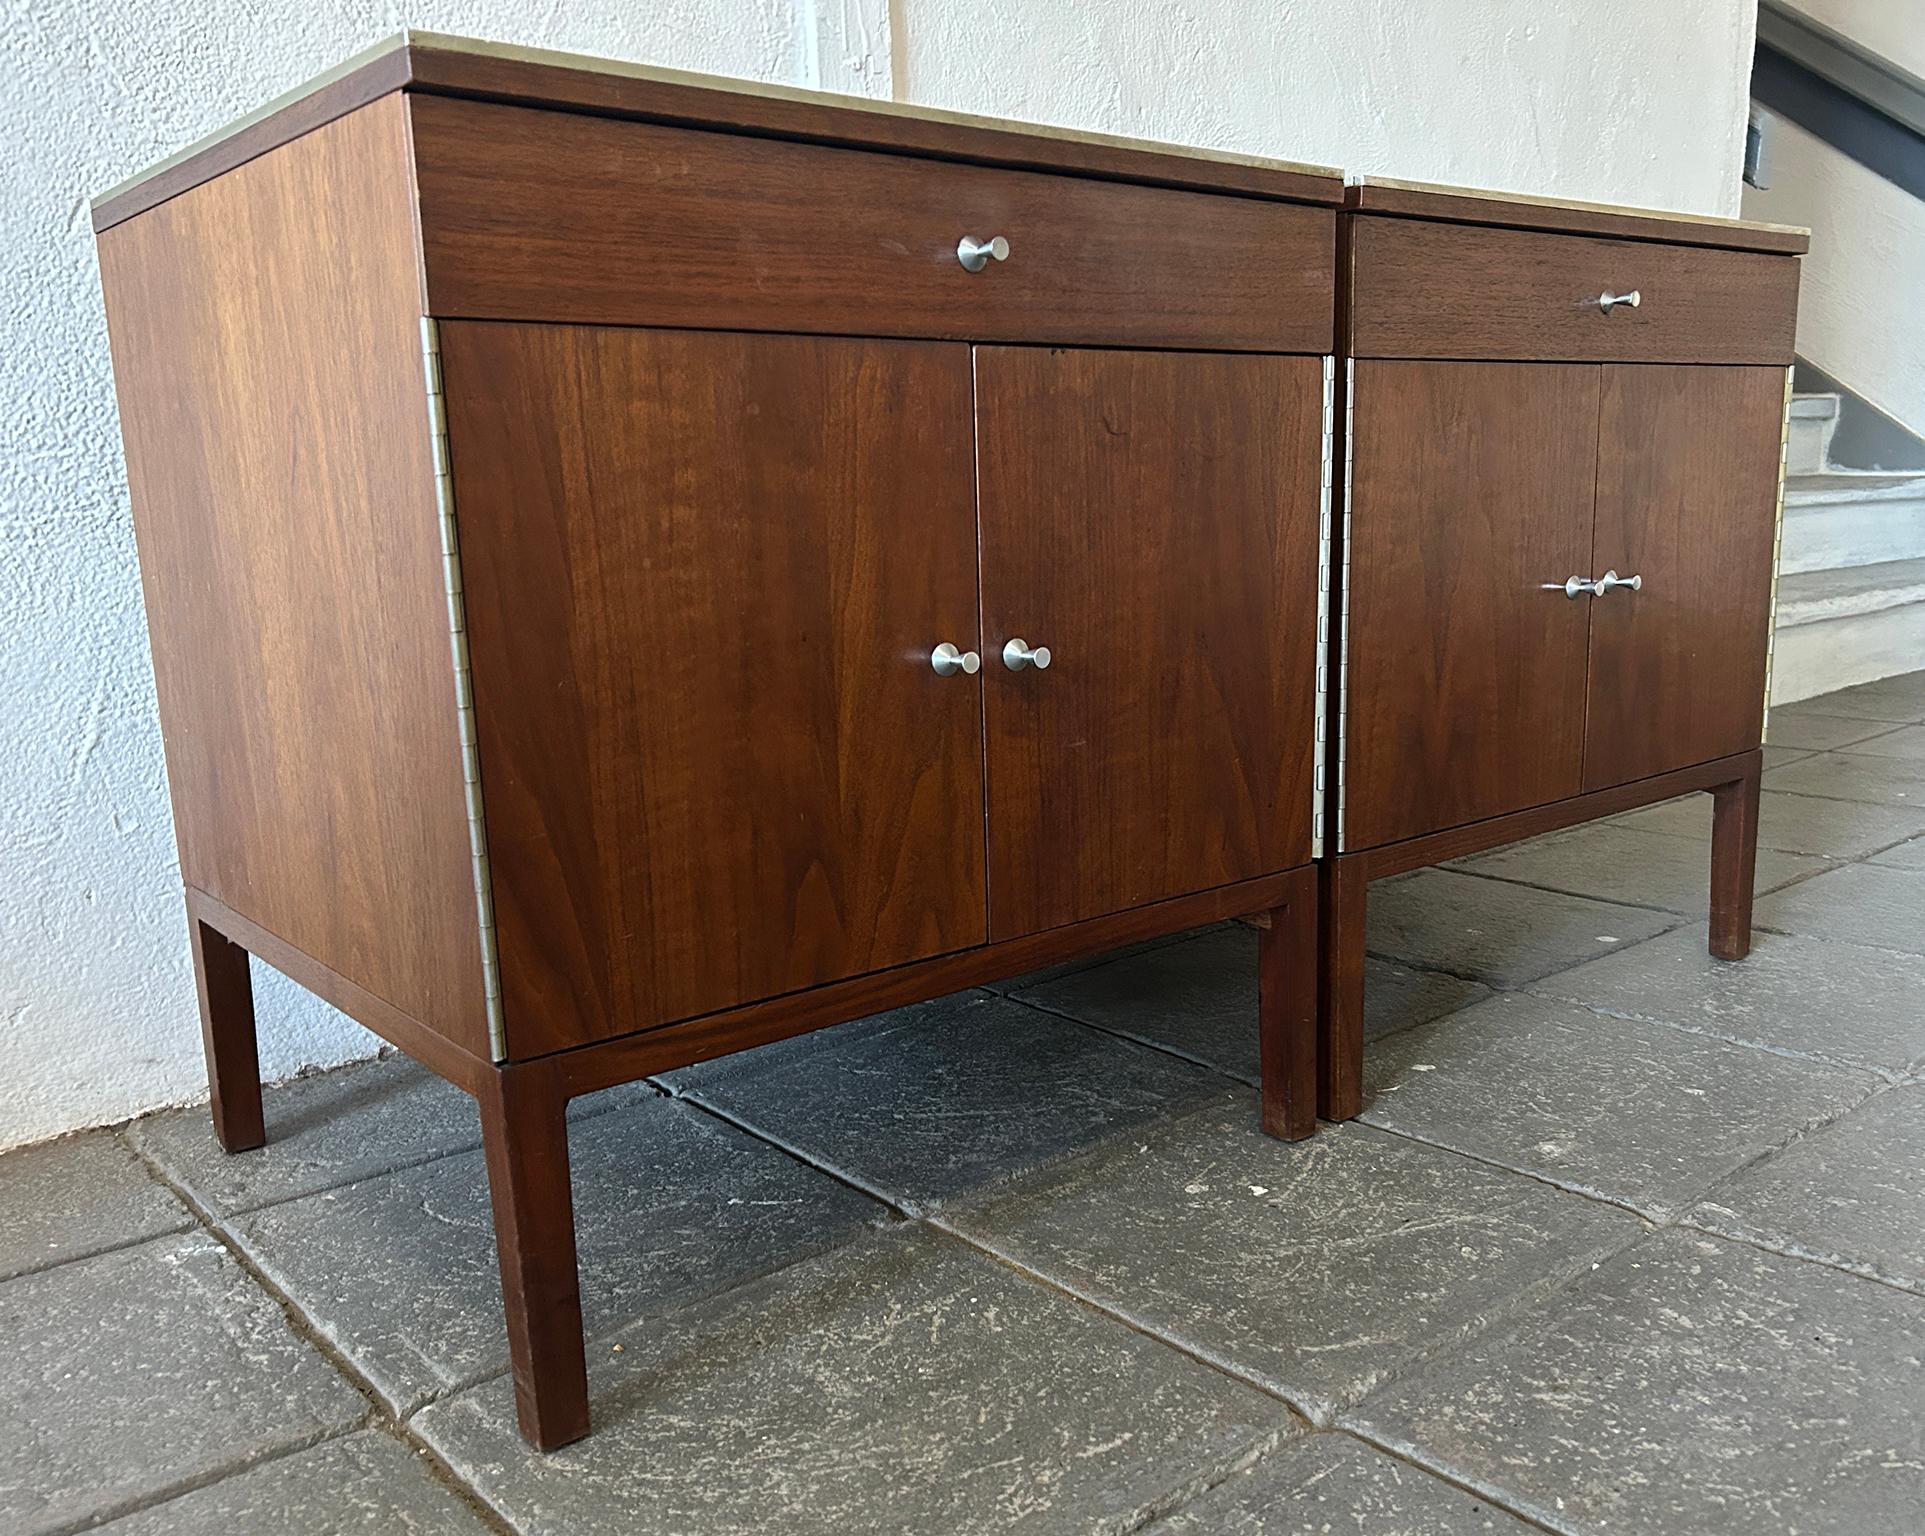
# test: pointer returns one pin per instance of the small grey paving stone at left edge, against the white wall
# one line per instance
(80, 1196)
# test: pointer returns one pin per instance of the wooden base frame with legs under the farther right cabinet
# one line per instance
(1345, 883)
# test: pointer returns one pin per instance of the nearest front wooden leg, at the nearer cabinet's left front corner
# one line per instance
(525, 1135)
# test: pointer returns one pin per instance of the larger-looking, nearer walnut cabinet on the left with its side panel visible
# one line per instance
(640, 571)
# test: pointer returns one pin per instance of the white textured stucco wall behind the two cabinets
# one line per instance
(97, 1011)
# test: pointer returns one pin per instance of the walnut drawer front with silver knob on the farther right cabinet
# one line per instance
(1464, 292)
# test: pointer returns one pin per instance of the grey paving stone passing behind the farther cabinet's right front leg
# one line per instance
(1622, 863)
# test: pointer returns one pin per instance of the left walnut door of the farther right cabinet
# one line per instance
(1472, 503)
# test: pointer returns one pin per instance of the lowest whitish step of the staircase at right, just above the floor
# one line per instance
(1847, 627)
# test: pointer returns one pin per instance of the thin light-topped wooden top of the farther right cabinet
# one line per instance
(1470, 205)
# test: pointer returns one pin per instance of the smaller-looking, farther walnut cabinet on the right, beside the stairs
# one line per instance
(1558, 540)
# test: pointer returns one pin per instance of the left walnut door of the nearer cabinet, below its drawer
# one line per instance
(704, 578)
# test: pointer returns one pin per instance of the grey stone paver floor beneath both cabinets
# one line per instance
(1626, 1241)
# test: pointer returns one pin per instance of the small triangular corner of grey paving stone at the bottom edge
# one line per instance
(1331, 1483)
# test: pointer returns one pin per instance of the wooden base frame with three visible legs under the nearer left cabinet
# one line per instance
(525, 1127)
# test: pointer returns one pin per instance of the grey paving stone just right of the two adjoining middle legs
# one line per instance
(1616, 1108)
